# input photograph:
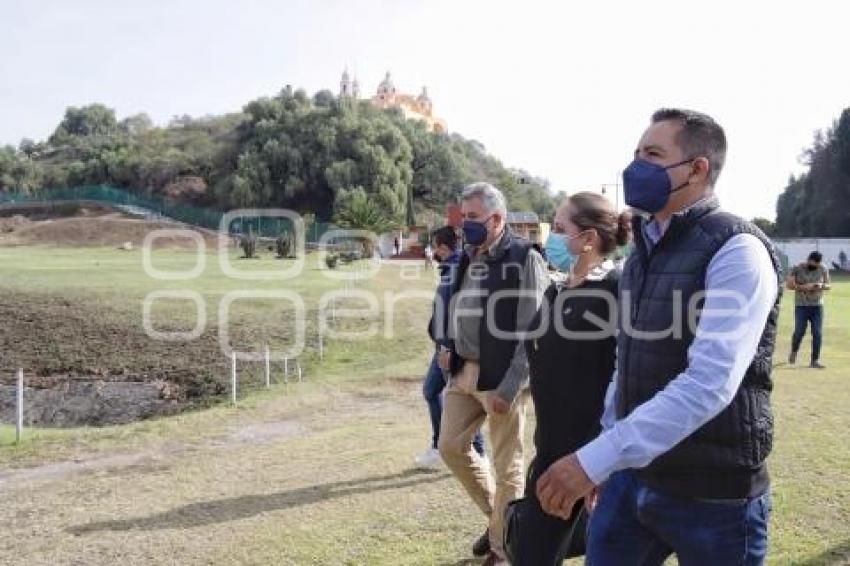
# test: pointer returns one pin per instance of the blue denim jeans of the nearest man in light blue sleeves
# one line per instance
(636, 525)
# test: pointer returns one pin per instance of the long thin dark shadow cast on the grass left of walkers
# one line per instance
(235, 508)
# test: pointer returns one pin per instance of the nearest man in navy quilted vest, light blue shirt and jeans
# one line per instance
(680, 463)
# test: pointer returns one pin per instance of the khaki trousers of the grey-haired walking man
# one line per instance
(464, 411)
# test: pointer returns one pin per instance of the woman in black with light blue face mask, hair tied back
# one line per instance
(571, 365)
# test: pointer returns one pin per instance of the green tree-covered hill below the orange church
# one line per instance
(289, 150)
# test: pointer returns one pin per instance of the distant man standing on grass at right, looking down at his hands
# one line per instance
(808, 280)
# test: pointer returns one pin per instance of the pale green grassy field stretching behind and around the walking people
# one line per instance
(311, 473)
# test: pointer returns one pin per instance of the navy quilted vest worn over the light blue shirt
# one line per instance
(725, 457)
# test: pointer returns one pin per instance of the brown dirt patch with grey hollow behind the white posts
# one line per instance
(59, 340)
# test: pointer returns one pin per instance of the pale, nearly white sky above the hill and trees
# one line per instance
(563, 89)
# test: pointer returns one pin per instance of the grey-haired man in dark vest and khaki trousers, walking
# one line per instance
(498, 290)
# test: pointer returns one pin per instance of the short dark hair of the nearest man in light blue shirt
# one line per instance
(700, 136)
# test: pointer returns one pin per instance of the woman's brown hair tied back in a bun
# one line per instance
(592, 211)
